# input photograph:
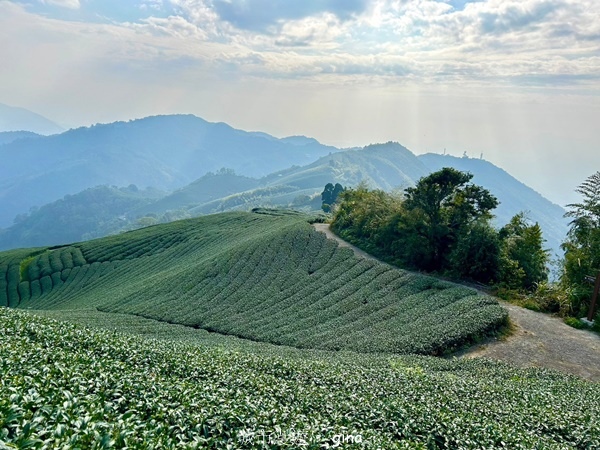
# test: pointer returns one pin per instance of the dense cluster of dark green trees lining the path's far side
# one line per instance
(443, 225)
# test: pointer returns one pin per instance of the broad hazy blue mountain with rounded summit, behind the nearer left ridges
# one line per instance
(164, 152)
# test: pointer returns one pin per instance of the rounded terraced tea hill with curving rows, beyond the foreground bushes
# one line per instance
(262, 277)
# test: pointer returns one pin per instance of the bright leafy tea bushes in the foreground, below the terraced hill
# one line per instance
(65, 386)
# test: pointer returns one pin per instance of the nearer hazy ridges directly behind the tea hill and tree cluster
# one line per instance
(105, 210)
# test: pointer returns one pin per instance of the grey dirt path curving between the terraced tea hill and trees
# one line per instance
(538, 340)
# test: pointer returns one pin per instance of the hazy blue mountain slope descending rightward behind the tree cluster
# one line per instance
(514, 196)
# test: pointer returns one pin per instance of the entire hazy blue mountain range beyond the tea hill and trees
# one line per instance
(63, 188)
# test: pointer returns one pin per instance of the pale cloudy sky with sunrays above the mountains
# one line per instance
(517, 81)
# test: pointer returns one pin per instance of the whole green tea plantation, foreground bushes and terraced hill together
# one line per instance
(254, 331)
